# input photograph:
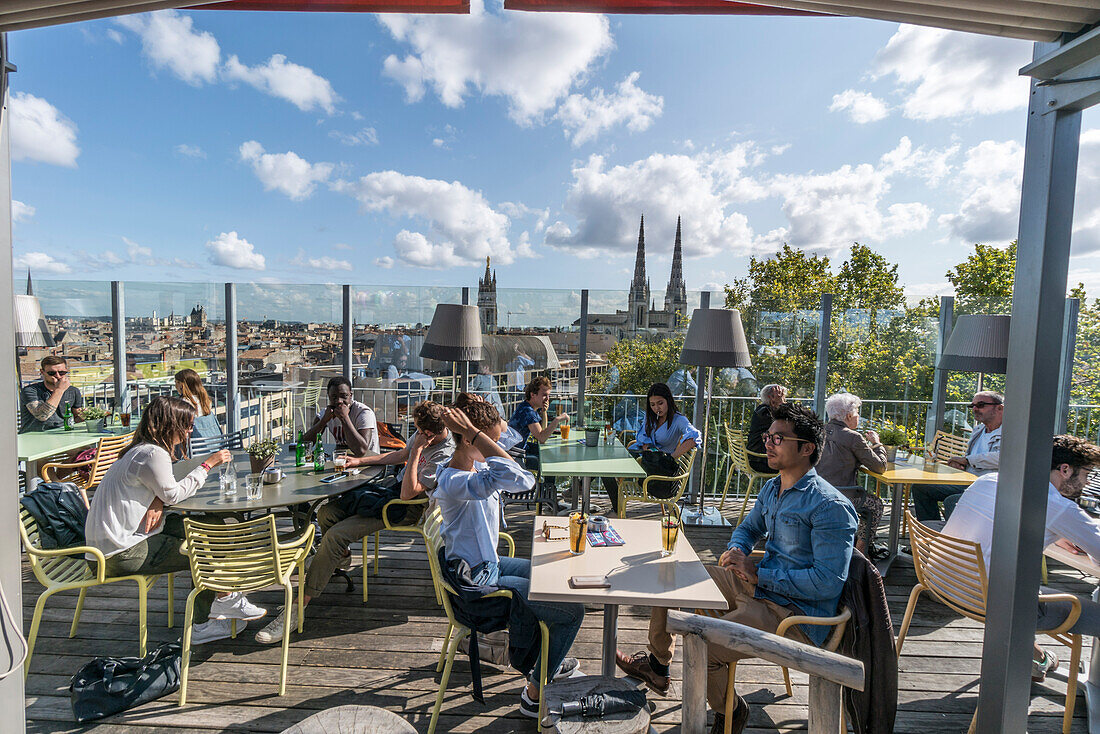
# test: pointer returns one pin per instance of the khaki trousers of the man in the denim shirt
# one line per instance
(744, 609)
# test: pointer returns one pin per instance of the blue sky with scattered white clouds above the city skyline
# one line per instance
(312, 148)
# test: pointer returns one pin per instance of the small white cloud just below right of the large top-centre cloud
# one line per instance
(586, 117)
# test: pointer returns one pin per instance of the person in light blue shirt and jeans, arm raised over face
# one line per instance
(468, 494)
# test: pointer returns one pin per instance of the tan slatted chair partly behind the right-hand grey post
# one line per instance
(954, 572)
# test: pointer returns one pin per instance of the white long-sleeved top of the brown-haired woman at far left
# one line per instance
(118, 508)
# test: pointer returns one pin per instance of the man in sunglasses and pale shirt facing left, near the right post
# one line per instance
(983, 457)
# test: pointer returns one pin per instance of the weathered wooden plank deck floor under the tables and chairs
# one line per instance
(384, 654)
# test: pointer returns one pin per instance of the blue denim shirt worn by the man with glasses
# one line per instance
(810, 532)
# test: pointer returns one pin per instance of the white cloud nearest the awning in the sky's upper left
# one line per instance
(170, 41)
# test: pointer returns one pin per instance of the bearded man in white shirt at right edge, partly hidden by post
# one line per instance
(1072, 459)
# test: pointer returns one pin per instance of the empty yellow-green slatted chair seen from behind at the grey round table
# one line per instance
(244, 557)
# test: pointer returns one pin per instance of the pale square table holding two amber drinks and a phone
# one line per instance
(637, 573)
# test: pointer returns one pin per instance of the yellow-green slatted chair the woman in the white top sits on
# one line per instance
(64, 569)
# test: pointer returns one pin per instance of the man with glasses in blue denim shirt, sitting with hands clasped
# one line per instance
(810, 529)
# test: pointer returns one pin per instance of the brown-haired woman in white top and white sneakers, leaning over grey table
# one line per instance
(127, 520)
